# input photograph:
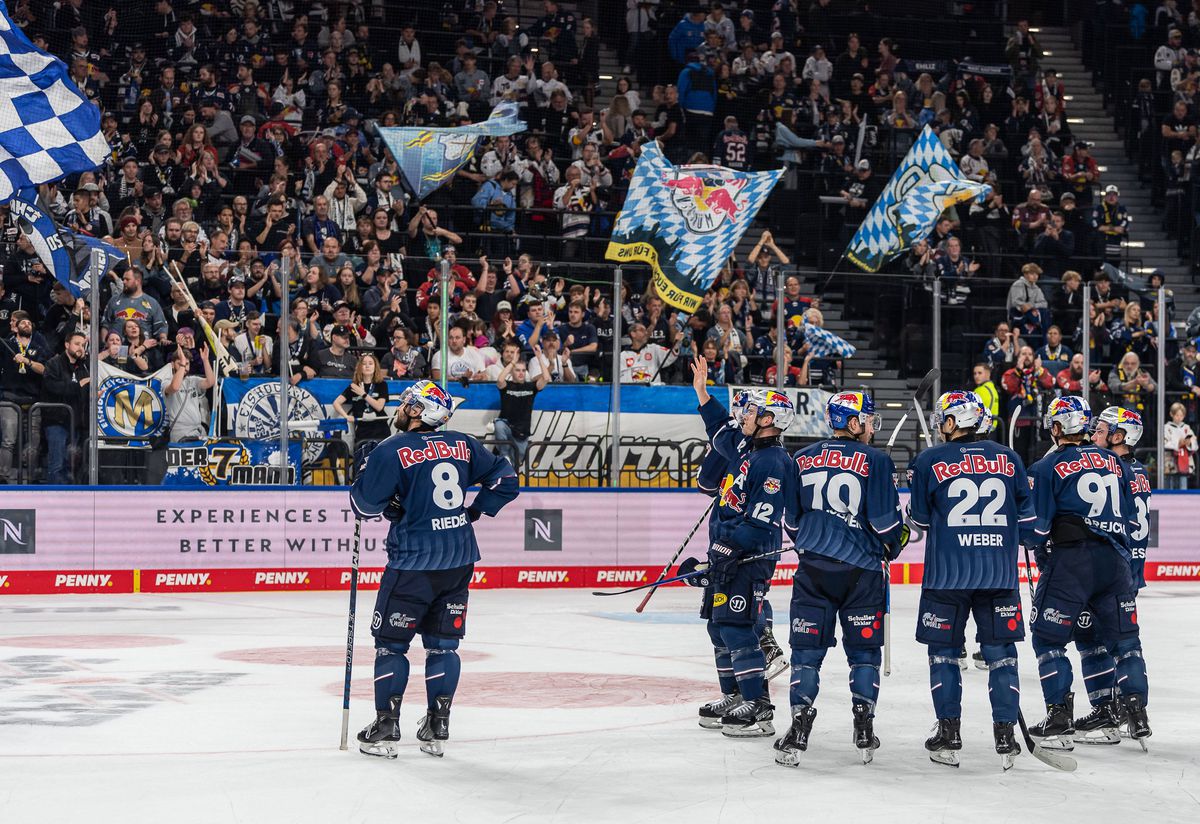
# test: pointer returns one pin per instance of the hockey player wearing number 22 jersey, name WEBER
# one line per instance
(973, 498)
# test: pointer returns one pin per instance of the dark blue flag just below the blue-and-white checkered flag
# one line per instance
(67, 254)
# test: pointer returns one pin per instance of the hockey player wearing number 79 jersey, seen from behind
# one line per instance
(845, 520)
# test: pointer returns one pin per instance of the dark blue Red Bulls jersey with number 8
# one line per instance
(429, 473)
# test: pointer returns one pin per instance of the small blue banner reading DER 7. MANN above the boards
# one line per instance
(230, 462)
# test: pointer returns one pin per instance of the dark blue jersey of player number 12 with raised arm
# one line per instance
(753, 501)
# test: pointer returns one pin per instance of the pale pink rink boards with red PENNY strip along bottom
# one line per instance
(297, 540)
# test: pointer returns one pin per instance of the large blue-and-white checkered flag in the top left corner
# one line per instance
(49, 129)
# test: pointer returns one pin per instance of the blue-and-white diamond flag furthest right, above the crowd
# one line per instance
(927, 184)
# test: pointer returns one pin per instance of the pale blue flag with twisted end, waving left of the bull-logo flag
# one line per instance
(430, 158)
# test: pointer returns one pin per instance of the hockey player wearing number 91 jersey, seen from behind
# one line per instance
(1085, 518)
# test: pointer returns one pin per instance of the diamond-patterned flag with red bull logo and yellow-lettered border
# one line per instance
(685, 221)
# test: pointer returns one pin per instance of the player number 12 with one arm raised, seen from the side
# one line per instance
(748, 521)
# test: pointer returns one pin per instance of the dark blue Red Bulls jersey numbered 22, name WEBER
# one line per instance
(974, 502)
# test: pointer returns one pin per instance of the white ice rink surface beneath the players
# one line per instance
(226, 708)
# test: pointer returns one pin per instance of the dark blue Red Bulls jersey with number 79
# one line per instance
(847, 507)
